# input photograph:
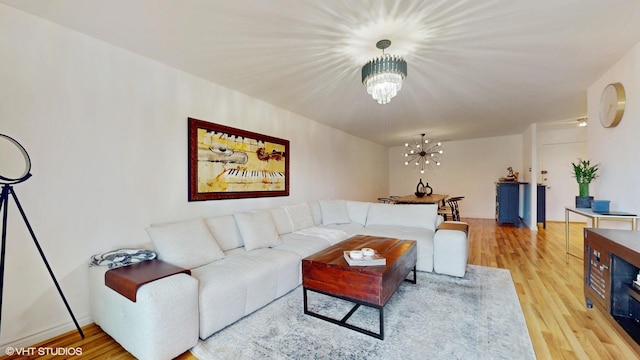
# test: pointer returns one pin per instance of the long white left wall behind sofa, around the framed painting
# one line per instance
(106, 130)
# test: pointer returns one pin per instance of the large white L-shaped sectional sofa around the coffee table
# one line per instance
(241, 262)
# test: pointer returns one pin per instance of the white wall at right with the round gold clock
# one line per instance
(617, 149)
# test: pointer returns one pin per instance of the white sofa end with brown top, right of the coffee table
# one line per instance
(451, 248)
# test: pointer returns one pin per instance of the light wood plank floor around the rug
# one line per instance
(549, 288)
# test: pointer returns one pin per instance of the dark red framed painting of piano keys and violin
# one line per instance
(230, 163)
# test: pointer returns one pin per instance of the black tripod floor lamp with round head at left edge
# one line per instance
(7, 182)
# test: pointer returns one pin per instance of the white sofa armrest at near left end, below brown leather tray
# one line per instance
(162, 323)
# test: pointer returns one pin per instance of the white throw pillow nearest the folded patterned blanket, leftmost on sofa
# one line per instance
(187, 244)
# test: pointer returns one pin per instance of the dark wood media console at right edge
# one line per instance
(611, 264)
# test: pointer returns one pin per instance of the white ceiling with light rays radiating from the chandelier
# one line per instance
(477, 68)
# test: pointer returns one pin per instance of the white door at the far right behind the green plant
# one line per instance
(562, 187)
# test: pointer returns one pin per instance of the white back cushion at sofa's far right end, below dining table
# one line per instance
(421, 216)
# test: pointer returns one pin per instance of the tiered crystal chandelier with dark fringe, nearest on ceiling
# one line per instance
(383, 76)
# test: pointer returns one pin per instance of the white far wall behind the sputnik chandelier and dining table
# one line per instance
(469, 168)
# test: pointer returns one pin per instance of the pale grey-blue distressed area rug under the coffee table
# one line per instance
(441, 317)
